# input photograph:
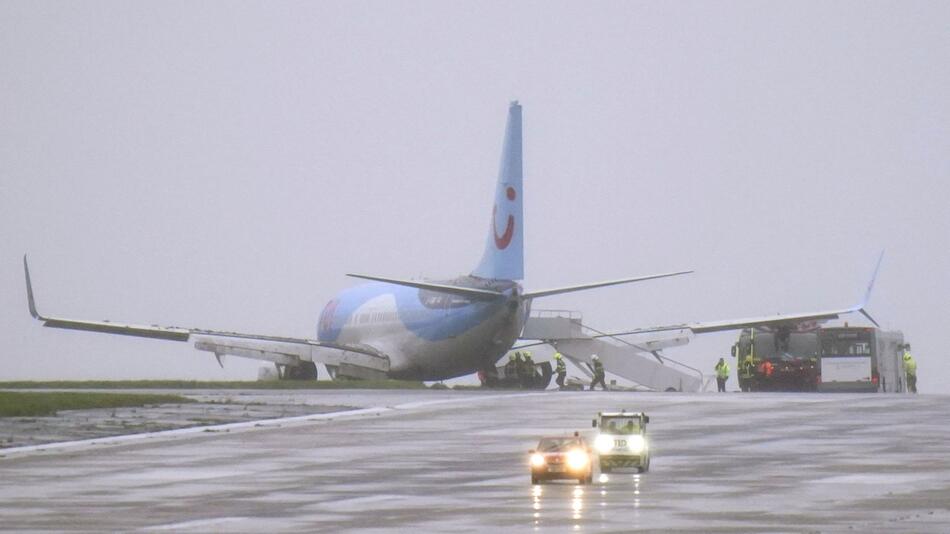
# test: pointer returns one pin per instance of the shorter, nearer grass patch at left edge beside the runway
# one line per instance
(29, 403)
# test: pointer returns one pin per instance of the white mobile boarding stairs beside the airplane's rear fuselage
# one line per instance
(635, 358)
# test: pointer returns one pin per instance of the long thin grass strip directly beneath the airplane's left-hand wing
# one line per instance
(194, 384)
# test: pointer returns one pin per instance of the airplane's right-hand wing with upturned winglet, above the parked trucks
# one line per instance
(791, 320)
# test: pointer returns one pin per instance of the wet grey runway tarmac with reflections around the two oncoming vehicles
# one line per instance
(457, 461)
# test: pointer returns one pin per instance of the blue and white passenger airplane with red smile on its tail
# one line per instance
(425, 330)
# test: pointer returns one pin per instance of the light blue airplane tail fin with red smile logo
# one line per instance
(503, 258)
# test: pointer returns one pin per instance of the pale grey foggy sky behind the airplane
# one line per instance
(222, 165)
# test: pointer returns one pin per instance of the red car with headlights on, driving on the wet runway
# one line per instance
(564, 457)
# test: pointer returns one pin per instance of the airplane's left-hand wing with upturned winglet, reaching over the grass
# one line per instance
(279, 349)
